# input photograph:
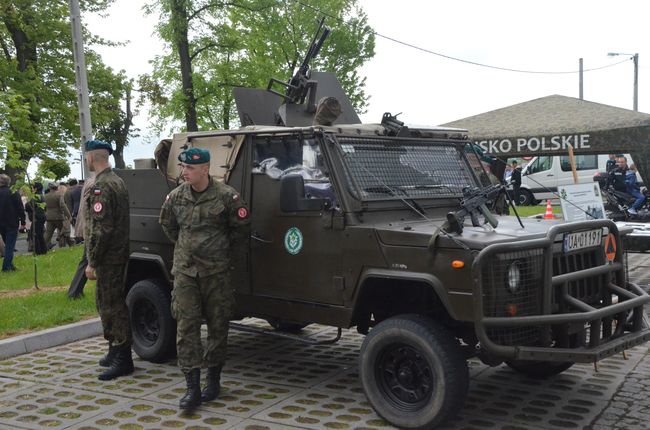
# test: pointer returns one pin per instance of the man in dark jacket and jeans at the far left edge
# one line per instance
(12, 213)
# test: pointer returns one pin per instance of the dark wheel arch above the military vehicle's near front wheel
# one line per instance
(382, 290)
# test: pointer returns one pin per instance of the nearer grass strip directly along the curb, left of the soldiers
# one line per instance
(44, 309)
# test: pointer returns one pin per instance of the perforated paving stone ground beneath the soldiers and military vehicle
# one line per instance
(272, 383)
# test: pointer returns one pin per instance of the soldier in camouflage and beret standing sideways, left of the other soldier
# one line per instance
(106, 235)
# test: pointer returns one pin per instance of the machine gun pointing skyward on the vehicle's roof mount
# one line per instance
(300, 85)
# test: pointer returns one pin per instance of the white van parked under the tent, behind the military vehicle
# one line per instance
(542, 175)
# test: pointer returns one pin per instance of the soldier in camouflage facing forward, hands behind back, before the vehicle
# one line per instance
(204, 218)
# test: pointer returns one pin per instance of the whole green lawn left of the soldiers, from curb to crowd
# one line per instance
(24, 309)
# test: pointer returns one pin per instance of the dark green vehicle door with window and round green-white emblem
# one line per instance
(294, 255)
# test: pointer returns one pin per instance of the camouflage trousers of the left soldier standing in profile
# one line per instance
(111, 304)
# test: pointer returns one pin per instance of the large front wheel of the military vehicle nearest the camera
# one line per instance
(413, 372)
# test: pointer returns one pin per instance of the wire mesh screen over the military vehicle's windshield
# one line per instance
(385, 168)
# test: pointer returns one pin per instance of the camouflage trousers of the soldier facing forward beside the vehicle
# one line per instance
(194, 299)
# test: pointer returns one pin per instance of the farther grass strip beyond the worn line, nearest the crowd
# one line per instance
(56, 268)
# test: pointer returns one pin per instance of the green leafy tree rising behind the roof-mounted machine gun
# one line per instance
(215, 45)
